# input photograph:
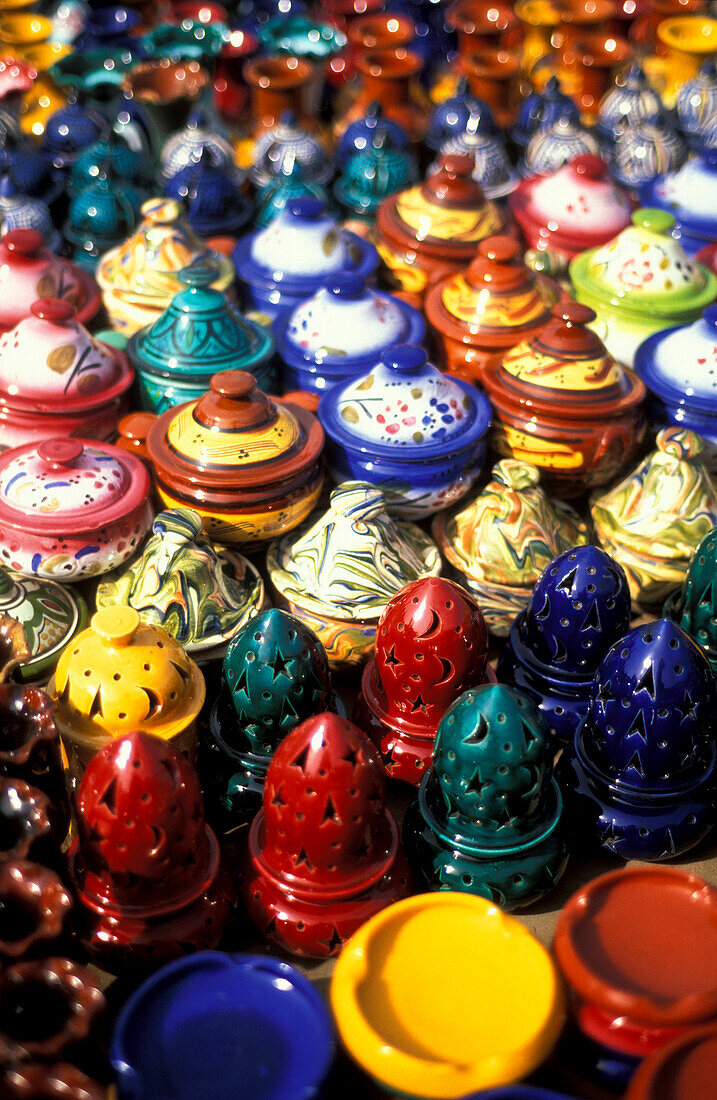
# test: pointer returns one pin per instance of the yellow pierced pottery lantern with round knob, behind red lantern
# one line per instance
(140, 679)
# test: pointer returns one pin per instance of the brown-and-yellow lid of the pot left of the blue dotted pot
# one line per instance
(235, 437)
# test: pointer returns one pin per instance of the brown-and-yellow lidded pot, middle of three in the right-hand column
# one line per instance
(492, 306)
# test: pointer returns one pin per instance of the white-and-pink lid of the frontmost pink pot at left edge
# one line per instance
(70, 486)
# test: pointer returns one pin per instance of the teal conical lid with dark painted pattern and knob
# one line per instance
(201, 333)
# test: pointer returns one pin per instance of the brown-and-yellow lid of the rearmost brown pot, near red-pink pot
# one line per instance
(445, 217)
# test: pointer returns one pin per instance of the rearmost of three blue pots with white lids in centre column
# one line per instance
(288, 262)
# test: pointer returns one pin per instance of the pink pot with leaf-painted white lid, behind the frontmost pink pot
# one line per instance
(56, 380)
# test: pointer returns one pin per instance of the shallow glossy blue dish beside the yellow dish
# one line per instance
(250, 1018)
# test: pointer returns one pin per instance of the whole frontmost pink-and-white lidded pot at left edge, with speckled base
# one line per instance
(71, 509)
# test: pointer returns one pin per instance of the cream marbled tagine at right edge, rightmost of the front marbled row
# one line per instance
(655, 520)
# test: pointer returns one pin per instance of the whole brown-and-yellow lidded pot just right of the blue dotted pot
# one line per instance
(565, 405)
